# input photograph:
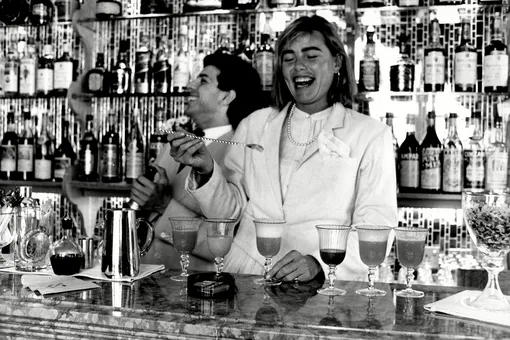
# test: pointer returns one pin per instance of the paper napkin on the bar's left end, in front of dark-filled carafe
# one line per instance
(47, 285)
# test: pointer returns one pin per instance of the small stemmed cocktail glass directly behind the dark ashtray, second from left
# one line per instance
(220, 233)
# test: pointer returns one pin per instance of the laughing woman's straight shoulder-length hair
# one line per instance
(343, 87)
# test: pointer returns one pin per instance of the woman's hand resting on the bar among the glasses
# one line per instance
(295, 266)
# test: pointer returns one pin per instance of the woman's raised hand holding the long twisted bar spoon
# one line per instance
(190, 151)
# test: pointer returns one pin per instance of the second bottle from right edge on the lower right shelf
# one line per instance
(474, 157)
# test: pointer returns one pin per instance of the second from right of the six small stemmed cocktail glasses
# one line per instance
(373, 241)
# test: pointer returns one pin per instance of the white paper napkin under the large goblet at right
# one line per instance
(456, 305)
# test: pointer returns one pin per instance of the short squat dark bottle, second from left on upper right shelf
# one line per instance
(402, 72)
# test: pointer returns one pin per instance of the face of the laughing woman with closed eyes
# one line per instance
(308, 69)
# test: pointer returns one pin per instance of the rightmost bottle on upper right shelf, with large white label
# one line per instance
(495, 62)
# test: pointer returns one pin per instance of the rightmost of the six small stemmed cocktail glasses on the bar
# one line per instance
(410, 251)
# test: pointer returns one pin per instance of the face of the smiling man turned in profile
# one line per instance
(205, 96)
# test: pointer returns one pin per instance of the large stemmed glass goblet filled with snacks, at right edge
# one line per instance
(487, 217)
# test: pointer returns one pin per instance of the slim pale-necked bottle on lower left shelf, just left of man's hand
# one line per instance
(135, 147)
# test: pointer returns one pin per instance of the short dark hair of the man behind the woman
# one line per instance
(238, 75)
